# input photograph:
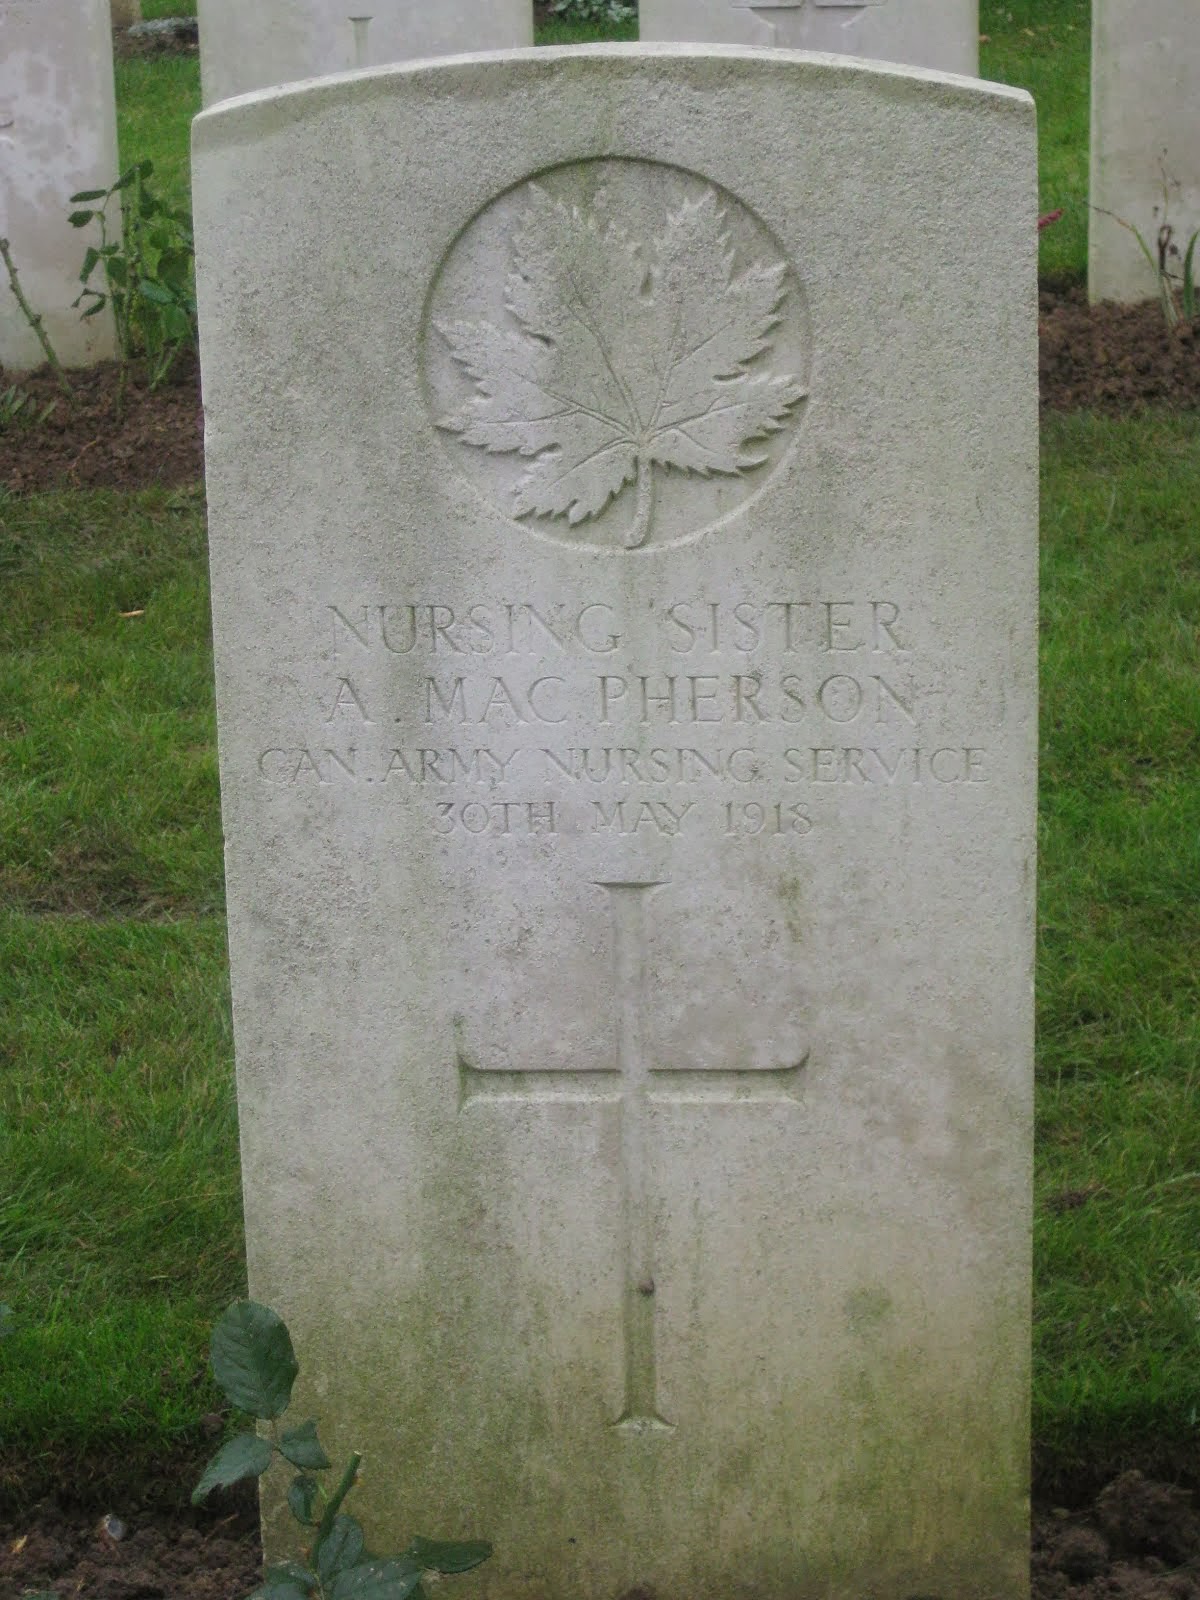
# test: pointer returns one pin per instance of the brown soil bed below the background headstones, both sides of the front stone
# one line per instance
(1102, 358)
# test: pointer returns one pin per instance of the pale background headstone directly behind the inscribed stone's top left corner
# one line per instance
(258, 46)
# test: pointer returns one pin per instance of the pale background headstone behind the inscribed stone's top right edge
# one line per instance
(940, 34)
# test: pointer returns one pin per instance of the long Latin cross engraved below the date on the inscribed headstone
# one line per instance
(634, 1084)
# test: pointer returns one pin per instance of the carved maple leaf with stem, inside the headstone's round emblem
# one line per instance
(622, 359)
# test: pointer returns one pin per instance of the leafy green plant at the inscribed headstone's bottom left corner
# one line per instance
(257, 1367)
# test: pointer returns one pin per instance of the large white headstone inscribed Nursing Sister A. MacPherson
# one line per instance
(623, 510)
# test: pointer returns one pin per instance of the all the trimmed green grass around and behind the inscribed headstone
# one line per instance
(119, 1183)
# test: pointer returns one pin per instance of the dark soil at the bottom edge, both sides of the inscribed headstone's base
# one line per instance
(1138, 1542)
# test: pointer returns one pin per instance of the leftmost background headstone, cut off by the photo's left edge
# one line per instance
(58, 135)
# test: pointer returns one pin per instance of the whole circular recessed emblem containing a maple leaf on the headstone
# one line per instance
(617, 354)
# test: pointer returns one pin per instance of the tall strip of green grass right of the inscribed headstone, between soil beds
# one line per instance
(1119, 958)
